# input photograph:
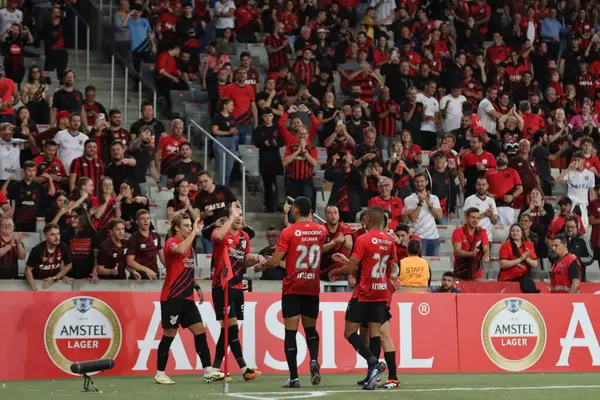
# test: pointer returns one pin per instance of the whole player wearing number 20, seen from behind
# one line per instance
(301, 244)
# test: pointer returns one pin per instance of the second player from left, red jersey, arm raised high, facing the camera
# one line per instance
(231, 241)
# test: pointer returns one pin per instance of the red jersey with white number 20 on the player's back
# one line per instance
(302, 242)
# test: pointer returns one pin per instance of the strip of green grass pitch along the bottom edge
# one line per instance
(334, 387)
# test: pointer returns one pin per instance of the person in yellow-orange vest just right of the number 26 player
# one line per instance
(415, 273)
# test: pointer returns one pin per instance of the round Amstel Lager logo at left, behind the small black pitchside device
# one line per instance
(81, 329)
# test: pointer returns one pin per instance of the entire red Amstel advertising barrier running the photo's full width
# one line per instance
(432, 333)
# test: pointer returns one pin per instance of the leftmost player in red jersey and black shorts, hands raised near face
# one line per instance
(177, 303)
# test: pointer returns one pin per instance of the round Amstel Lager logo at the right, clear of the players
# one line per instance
(514, 334)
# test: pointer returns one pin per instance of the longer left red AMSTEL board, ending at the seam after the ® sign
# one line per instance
(47, 331)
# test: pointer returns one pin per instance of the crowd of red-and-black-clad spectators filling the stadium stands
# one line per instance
(421, 106)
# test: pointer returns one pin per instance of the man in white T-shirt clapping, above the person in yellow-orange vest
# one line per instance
(423, 208)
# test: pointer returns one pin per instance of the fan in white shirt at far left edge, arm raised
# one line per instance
(10, 152)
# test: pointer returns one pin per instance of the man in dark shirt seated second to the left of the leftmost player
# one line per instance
(112, 261)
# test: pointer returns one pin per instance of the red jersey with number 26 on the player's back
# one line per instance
(376, 251)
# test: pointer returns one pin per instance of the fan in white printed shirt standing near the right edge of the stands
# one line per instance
(580, 185)
